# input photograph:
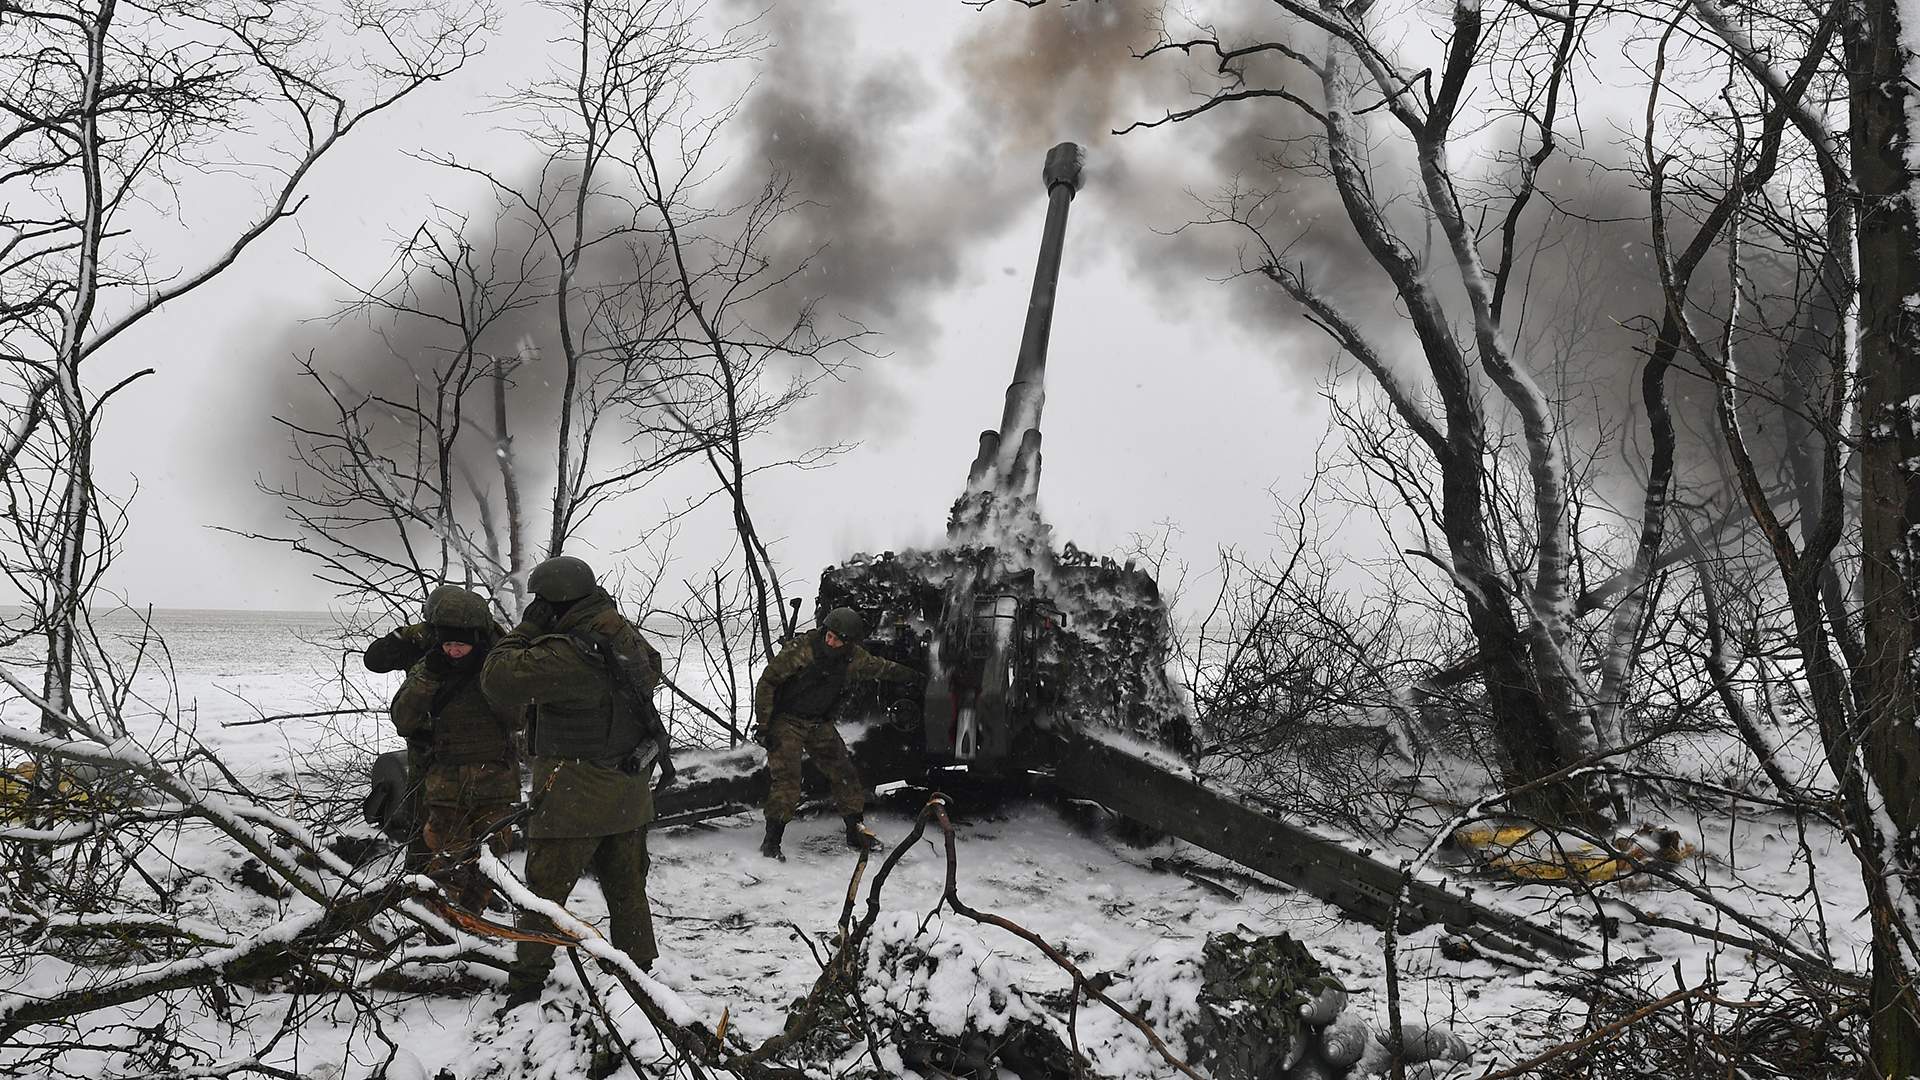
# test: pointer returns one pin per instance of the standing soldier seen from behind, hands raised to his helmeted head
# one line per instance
(594, 737)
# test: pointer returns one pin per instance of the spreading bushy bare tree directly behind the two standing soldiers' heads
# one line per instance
(420, 478)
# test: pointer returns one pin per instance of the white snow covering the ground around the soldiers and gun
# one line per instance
(732, 925)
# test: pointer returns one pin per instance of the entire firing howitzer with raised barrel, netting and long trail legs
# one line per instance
(1038, 660)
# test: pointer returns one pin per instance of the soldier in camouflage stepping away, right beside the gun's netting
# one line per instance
(794, 704)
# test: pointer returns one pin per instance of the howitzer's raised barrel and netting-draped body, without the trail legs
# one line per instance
(1020, 641)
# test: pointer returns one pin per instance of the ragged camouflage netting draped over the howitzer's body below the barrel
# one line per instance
(1103, 664)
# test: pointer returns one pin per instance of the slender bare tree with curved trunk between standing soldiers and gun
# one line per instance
(732, 351)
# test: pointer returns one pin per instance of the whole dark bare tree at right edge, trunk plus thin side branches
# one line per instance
(1861, 691)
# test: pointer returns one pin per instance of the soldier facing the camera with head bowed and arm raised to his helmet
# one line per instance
(464, 766)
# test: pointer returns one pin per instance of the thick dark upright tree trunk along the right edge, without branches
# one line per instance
(1890, 501)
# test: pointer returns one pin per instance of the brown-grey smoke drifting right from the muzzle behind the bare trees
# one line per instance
(1585, 293)
